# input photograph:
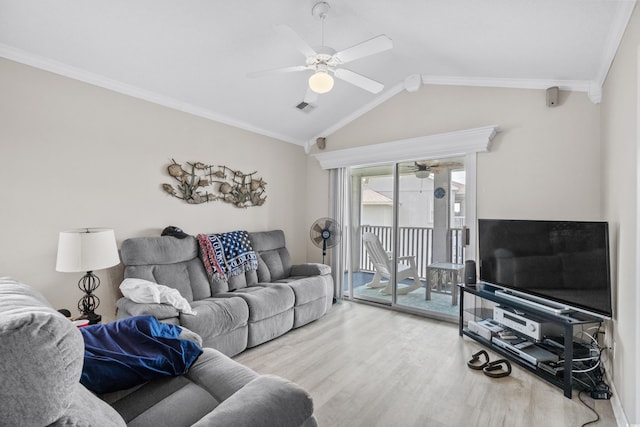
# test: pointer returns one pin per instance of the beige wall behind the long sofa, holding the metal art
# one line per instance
(74, 155)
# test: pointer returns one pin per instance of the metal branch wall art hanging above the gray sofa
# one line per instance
(200, 183)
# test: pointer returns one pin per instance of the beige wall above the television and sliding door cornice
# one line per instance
(544, 163)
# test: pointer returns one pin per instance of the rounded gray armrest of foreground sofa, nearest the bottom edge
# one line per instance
(264, 402)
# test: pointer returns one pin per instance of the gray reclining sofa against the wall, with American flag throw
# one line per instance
(236, 312)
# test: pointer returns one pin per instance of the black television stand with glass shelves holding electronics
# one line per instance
(555, 370)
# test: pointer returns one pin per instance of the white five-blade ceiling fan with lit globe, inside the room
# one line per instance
(325, 61)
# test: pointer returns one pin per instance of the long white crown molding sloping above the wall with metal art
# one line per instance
(85, 76)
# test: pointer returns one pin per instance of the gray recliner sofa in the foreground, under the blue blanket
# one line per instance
(42, 356)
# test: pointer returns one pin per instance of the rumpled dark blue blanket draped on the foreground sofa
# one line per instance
(131, 351)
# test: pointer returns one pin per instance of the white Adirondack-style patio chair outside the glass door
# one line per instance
(381, 261)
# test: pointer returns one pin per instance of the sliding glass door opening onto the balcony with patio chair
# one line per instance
(406, 235)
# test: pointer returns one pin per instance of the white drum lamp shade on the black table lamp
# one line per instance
(87, 249)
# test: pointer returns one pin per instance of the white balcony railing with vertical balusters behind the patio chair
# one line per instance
(413, 241)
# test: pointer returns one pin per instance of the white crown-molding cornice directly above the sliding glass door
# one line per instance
(448, 144)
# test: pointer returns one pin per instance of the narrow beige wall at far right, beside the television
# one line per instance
(620, 161)
